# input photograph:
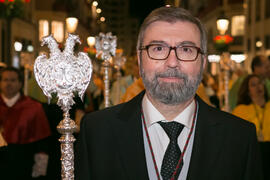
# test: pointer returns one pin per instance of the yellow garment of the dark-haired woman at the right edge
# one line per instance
(248, 112)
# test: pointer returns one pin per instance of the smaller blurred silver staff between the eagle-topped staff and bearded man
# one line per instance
(106, 47)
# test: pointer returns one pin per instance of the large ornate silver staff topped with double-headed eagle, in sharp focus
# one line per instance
(64, 74)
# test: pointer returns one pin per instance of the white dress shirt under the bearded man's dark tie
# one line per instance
(158, 137)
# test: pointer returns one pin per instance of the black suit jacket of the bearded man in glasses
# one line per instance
(111, 146)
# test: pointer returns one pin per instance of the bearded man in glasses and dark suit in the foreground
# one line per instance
(167, 132)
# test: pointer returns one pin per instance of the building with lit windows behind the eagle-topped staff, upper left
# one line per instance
(41, 18)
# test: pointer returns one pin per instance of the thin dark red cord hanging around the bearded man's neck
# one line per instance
(184, 150)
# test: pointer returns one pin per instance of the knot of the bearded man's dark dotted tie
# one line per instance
(172, 129)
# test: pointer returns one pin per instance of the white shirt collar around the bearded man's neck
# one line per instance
(152, 115)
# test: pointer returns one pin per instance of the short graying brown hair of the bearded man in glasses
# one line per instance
(172, 15)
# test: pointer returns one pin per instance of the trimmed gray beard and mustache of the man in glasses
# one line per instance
(171, 93)
